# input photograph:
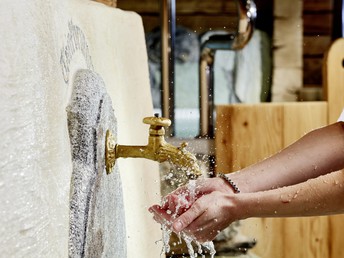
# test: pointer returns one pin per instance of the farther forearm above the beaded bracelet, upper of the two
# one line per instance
(317, 153)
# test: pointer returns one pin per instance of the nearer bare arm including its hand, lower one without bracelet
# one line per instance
(213, 212)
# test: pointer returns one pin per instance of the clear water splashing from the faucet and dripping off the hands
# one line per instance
(189, 241)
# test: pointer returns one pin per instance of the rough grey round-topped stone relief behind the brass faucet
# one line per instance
(97, 219)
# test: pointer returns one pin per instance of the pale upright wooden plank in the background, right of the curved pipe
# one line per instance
(287, 54)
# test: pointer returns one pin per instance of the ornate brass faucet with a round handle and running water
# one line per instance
(157, 149)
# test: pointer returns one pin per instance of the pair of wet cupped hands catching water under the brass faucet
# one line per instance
(194, 196)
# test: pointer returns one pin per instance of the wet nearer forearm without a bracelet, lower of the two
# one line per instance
(319, 196)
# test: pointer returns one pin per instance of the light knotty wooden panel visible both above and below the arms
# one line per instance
(246, 134)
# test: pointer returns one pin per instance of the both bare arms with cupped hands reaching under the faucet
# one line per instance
(278, 186)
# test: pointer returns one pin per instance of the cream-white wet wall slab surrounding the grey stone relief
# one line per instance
(37, 64)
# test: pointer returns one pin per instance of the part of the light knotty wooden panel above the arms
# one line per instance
(248, 133)
